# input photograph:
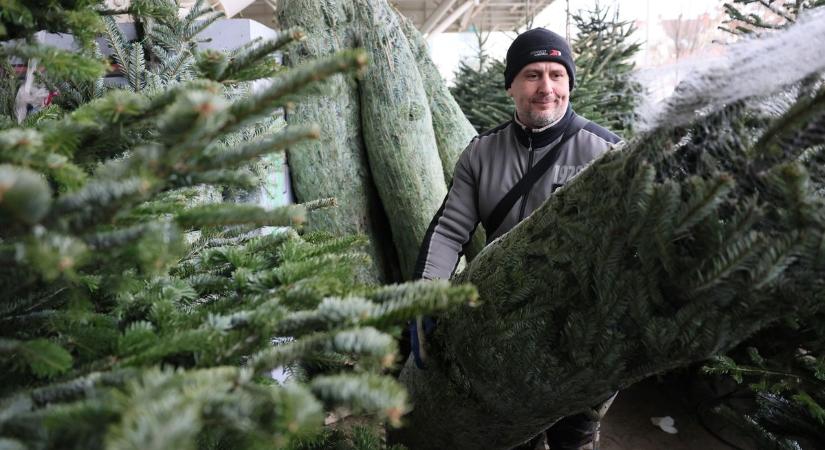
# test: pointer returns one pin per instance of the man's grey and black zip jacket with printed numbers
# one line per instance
(487, 169)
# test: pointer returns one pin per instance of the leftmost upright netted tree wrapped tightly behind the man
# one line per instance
(336, 164)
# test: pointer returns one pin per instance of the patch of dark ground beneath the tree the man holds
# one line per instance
(627, 425)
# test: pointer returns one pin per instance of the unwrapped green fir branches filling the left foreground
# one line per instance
(138, 308)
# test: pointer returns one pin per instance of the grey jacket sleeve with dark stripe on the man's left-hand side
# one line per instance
(452, 226)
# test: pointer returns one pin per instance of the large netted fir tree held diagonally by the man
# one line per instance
(706, 228)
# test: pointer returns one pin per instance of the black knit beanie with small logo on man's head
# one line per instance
(538, 44)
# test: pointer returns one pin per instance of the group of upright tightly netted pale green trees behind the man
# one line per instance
(394, 135)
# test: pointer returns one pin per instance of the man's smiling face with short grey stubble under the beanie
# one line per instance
(541, 92)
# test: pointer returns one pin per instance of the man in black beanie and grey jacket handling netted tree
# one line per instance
(539, 76)
